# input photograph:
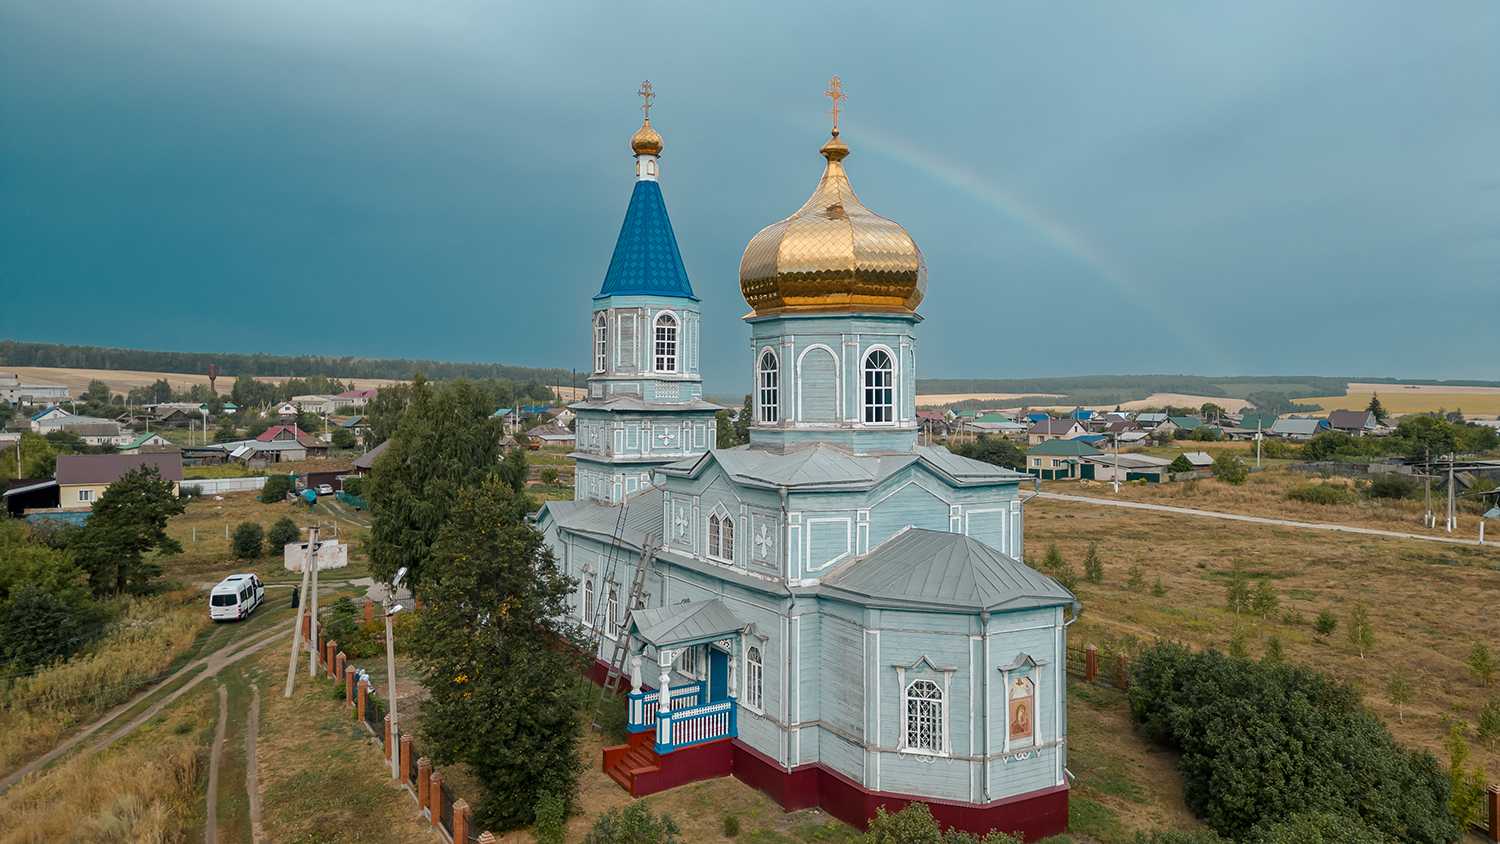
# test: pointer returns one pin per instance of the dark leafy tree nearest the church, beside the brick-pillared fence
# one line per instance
(502, 689)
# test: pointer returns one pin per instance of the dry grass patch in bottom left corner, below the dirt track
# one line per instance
(143, 789)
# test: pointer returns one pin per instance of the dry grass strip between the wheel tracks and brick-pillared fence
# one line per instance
(323, 777)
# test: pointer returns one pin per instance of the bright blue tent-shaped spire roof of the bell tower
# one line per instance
(647, 260)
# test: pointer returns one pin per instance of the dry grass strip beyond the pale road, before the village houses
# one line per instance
(1265, 494)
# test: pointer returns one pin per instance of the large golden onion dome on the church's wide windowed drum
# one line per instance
(833, 256)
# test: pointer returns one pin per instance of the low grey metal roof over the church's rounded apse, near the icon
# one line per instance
(941, 570)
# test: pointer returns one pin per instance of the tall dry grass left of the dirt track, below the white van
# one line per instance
(41, 708)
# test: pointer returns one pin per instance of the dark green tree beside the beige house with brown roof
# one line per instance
(127, 524)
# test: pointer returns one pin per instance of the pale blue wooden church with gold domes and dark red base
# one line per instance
(833, 612)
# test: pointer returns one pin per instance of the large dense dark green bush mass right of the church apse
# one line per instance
(1267, 741)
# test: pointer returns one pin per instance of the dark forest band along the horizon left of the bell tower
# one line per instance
(16, 353)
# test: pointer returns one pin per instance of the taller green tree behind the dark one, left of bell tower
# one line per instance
(446, 443)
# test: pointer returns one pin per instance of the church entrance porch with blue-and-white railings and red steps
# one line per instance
(683, 735)
